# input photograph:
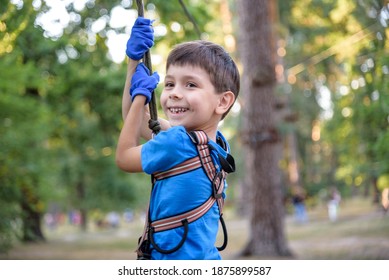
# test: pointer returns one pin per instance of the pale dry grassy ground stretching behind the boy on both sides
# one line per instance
(361, 232)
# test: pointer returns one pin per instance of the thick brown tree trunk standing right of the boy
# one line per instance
(260, 136)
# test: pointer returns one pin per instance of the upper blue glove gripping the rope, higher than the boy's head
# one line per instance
(141, 38)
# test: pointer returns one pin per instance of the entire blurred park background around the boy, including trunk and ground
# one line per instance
(309, 131)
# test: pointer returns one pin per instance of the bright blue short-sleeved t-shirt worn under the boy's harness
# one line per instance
(181, 193)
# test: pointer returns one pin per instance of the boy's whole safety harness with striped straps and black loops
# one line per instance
(217, 179)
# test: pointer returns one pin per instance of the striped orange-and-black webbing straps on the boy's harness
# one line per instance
(217, 179)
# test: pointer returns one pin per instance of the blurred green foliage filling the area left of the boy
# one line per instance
(59, 121)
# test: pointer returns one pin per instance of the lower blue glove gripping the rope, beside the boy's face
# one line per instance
(142, 83)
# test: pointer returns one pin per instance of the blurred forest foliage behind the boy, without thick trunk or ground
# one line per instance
(62, 71)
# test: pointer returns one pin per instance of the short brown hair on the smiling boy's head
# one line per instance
(212, 58)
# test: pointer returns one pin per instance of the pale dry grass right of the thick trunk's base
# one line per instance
(361, 232)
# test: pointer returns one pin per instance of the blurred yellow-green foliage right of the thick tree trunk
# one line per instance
(340, 47)
